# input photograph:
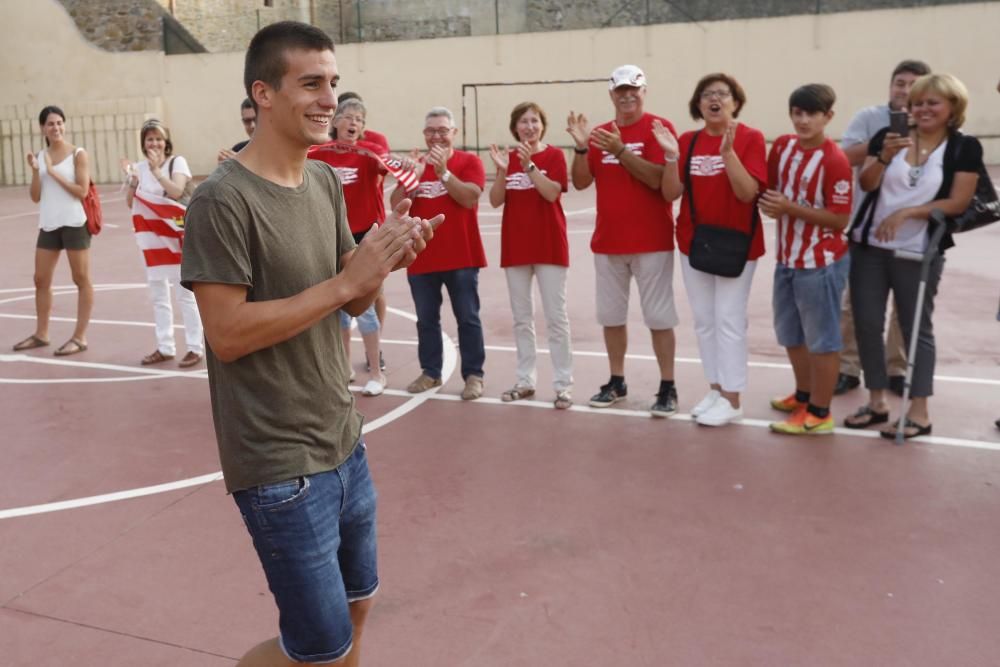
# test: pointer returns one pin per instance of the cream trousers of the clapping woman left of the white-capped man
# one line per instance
(552, 287)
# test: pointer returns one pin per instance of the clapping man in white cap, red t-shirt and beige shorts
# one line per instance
(633, 234)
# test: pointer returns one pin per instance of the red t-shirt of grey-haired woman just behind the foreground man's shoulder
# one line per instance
(361, 176)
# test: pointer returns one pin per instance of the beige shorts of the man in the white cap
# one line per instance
(654, 275)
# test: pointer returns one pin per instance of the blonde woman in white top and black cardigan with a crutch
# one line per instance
(933, 166)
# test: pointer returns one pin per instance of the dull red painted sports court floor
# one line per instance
(510, 534)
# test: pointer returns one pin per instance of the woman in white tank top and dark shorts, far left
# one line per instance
(60, 176)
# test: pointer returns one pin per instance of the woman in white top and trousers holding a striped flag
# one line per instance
(163, 174)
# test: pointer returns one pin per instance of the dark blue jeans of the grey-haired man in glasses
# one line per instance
(463, 290)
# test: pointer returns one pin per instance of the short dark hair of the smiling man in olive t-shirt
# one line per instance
(265, 60)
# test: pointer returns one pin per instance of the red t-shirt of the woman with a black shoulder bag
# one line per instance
(714, 200)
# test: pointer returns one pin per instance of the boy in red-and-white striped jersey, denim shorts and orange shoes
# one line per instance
(809, 196)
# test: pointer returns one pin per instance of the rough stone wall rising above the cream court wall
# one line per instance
(228, 25)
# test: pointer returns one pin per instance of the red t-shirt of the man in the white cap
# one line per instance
(631, 217)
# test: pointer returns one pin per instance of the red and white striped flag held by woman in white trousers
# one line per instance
(159, 232)
